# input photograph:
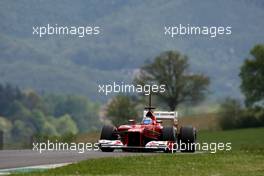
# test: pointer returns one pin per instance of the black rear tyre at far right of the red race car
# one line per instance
(186, 139)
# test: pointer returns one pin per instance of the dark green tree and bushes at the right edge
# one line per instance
(233, 114)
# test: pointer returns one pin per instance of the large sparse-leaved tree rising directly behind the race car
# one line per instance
(182, 86)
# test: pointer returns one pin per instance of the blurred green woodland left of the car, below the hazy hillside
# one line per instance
(26, 114)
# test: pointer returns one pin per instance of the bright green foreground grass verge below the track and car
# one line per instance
(234, 163)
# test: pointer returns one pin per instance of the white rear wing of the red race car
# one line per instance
(170, 116)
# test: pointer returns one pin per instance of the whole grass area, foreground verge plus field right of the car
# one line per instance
(245, 158)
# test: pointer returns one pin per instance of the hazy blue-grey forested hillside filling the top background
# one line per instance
(132, 33)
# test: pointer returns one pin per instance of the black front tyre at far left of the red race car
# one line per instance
(108, 133)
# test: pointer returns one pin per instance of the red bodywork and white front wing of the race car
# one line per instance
(140, 137)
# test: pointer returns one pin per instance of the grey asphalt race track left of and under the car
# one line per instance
(23, 158)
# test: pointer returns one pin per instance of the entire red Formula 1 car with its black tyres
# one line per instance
(149, 135)
